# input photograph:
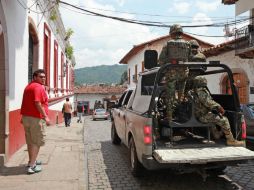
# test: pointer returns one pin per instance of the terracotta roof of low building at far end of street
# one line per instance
(96, 89)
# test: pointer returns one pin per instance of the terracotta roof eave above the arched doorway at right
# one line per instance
(220, 48)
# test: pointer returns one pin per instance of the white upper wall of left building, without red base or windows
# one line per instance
(18, 38)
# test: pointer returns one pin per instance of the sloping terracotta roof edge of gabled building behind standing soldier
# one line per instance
(139, 47)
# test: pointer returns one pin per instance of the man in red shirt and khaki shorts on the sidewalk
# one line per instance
(34, 111)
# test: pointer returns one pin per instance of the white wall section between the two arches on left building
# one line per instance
(17, 41)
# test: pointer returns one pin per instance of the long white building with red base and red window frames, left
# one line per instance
(31, 37)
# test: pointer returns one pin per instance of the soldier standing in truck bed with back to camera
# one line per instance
(174, 52)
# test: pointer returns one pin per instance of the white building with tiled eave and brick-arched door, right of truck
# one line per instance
(242, 69)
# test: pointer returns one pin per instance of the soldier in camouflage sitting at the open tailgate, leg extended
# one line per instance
(209, 111)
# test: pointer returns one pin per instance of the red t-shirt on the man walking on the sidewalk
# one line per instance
(34, 92)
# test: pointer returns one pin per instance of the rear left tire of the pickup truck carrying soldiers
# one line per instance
(136, 166)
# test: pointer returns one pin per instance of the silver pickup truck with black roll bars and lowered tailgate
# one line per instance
(185, 144)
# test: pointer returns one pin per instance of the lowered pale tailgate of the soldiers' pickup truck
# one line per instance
(202, 155)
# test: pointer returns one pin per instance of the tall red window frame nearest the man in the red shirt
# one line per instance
(47, 45)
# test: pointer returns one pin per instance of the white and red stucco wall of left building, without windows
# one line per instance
(15, 20)
